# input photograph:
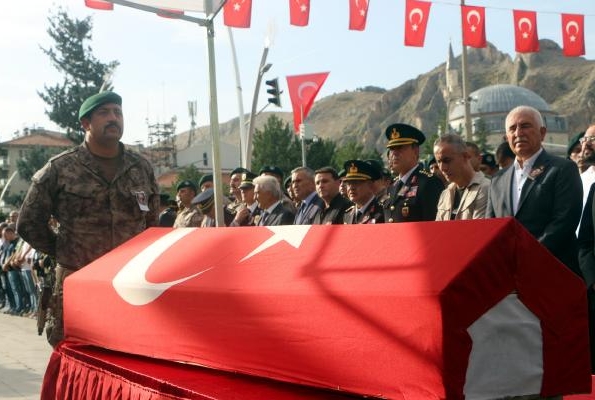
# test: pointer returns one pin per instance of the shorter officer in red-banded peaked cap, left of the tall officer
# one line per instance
(360, 177)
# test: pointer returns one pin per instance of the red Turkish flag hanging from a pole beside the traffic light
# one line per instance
(302, 92)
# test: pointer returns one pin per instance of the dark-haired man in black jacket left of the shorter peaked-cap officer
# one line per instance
(327, 183)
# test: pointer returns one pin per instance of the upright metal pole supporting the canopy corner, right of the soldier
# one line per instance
(214, 125)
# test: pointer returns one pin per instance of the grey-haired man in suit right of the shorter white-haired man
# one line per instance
(304, 189)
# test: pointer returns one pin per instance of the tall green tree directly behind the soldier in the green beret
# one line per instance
(84, 74)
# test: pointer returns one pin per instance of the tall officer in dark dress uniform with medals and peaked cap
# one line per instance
(415, 192)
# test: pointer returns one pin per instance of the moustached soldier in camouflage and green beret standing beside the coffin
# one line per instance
(100, 193)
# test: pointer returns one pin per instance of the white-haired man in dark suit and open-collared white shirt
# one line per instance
(543, 192)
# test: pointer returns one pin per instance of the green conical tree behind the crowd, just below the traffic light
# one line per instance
(276, 145)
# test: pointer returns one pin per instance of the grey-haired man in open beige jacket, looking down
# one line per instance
(466, 195)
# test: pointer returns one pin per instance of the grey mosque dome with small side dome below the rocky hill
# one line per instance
(500, 99)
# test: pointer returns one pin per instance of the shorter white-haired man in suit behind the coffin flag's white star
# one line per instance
(267, 191)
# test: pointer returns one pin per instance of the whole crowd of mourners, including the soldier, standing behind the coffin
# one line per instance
(100, 194)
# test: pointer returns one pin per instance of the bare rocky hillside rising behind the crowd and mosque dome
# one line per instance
(567, 84)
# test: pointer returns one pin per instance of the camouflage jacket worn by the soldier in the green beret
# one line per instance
(94, 215)
